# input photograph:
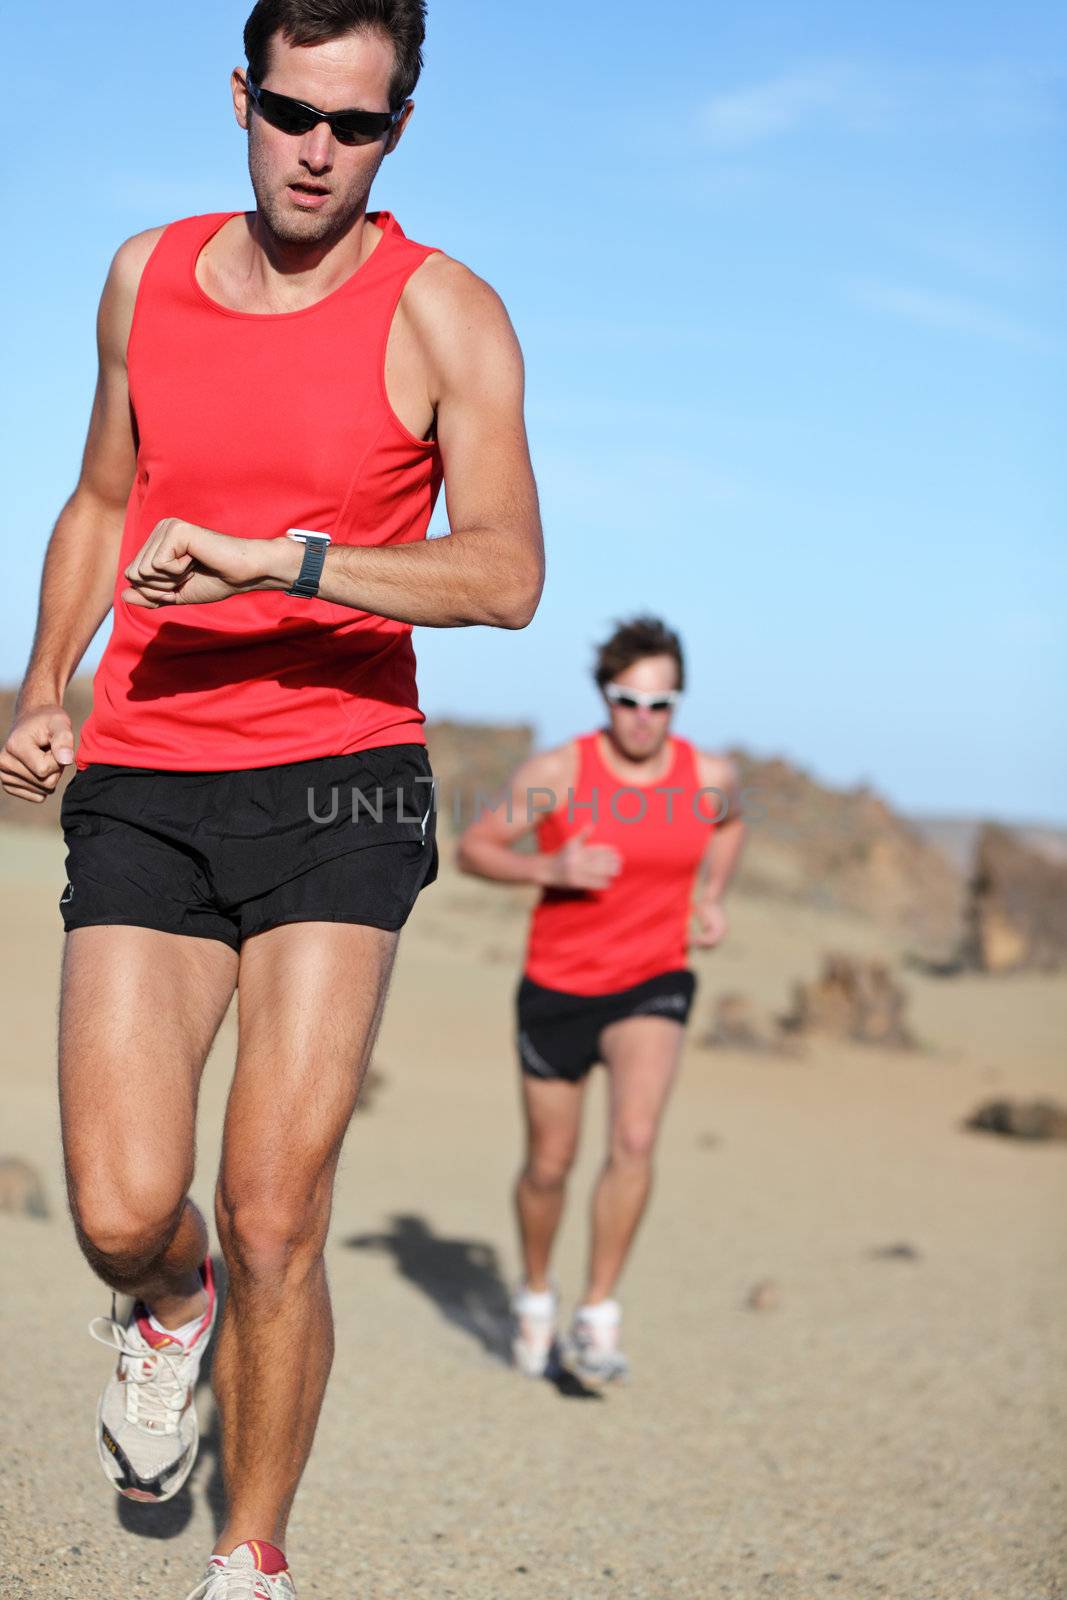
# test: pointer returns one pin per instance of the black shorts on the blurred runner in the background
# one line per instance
(559, 1034)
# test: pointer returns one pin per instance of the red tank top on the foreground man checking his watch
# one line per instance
(250, 425)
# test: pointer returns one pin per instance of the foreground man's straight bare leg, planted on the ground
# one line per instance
(311, 1001)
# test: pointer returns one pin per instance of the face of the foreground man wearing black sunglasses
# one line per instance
(310, 188)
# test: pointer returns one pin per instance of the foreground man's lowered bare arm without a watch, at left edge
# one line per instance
(82, 554)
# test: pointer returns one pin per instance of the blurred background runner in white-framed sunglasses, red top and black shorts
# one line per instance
(637, 834)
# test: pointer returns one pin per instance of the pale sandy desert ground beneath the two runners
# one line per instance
(893, 1428)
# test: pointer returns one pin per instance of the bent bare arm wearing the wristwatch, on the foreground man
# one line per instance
(490, 570)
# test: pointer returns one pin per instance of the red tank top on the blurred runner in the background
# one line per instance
(593, 943)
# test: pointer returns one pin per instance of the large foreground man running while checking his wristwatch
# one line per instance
(281, 396)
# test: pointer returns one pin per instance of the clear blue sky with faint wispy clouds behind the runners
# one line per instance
(789, 281)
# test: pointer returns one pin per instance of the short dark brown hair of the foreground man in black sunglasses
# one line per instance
(318, 22)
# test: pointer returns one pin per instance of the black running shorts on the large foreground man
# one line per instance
(228, 855)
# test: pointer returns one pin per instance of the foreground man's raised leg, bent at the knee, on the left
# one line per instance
(138, 1015)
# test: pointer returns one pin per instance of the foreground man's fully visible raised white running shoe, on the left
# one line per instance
(146, 1425)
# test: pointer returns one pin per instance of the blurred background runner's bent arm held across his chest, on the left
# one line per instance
(541, 785)
